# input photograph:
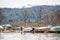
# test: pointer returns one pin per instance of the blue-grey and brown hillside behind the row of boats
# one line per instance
(47, 15)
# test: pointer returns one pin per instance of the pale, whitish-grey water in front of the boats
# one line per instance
(29, 36)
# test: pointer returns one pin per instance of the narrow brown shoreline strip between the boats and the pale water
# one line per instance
(33, 31)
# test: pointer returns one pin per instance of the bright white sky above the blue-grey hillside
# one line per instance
(27, 3)
